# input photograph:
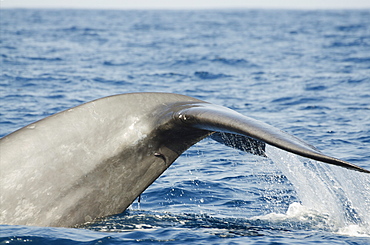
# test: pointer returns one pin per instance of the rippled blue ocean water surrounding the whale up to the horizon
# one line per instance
(305, 72)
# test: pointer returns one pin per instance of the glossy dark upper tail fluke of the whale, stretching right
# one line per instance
(220, 119)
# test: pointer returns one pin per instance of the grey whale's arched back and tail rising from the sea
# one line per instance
(95, 159)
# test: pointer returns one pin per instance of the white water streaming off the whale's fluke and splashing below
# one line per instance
(340, 195)
